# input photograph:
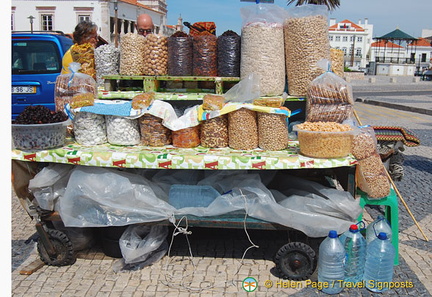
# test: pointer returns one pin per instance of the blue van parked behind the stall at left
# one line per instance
(36, 63)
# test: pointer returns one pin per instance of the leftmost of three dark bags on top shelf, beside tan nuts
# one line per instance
(180, 54)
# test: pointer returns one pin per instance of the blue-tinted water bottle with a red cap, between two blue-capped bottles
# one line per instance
(355, 248)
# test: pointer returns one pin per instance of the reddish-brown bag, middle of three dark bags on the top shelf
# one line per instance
(204, 55)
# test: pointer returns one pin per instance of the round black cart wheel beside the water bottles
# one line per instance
(296, 261)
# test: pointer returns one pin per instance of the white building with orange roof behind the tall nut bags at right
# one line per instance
(353, 39)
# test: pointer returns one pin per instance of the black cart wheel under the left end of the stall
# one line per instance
(63, 247)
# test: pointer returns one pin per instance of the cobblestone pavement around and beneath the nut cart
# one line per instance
(216, 268)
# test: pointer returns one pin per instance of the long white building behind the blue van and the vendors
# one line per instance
(64, 15)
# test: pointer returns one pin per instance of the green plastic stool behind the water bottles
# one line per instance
(391, 213)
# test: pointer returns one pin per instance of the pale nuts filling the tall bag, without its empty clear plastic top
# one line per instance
(262, 50)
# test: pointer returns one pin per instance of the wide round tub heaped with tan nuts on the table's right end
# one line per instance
(324, 139)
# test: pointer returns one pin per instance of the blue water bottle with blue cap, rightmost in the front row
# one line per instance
(378, 272)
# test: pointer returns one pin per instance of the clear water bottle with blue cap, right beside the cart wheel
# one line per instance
(331, 260)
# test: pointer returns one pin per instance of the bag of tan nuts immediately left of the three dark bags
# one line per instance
(155, 55)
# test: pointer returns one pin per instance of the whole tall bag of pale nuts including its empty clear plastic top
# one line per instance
(262, 46)
